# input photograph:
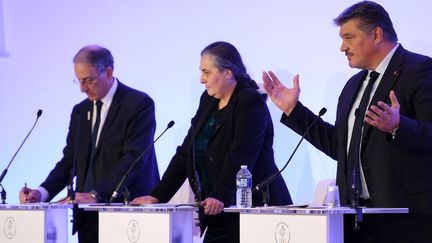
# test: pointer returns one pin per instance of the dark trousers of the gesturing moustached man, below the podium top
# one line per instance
(389, 228)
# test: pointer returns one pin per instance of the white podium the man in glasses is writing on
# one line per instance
(36, 223)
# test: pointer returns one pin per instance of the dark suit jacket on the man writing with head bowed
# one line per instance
(128, 130)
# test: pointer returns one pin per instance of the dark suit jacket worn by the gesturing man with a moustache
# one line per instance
(398, 172)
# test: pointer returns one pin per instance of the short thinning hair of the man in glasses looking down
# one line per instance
(97, 56)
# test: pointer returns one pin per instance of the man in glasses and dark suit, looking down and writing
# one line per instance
(107, 132)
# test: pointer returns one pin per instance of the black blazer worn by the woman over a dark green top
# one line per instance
(243, 136)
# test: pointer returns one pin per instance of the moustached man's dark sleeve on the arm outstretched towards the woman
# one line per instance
(322, 135)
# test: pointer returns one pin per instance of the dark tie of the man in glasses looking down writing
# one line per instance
(89, 176)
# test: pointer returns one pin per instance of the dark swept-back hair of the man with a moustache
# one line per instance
(371, 15)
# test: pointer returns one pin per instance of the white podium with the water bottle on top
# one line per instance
(297, 225)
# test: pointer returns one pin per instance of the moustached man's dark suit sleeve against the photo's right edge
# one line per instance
(415, 127)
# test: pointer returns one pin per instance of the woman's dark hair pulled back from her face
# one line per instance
(226, 56)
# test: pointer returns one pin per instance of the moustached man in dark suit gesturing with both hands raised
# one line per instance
(382, 136)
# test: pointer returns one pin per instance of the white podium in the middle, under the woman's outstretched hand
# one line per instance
(158, 223)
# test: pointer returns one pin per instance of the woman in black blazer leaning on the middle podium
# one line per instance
(232, 127)
